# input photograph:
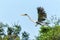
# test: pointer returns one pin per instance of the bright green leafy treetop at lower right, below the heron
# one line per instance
(49, 33)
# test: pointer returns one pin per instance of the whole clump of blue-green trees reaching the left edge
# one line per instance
(12, 32)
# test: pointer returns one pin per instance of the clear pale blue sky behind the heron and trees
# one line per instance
(10, 11)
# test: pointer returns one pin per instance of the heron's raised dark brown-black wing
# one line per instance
(41, 14)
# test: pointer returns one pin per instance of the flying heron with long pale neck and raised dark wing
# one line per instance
(41, 16)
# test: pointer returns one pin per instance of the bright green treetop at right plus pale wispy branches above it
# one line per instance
(50, 32)
